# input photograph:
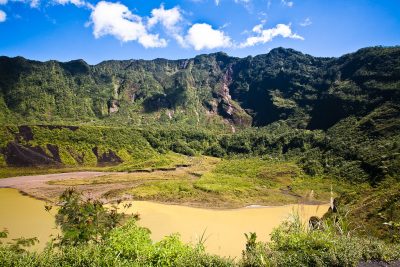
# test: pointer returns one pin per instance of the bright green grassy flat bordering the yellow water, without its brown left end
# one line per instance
(241, 182)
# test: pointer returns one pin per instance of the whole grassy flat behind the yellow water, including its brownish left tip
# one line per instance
(211, 182)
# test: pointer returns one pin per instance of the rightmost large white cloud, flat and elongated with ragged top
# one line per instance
(265, 36)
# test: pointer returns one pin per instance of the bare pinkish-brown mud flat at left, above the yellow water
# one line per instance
(37, 185)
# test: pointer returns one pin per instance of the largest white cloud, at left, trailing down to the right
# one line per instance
(115, 19)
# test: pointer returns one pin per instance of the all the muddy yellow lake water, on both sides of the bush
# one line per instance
(223, 229)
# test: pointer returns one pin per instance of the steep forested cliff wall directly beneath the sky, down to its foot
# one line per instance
(306, 91)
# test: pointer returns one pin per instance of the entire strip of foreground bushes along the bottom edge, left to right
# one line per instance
(94, 236)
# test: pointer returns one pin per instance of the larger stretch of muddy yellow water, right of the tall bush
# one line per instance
(224, 229)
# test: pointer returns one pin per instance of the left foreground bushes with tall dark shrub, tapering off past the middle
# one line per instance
(93, 236)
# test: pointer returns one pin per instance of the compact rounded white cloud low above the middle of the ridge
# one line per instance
(203, 36)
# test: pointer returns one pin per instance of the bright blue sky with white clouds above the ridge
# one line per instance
(143, 29)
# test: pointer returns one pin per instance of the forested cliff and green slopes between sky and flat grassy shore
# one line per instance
(336, 118)
